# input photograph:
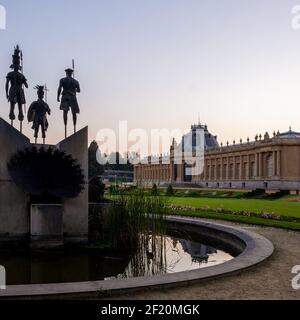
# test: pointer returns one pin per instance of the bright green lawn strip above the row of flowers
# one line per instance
(282, 207)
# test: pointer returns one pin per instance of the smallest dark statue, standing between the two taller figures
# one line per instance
(37, 114)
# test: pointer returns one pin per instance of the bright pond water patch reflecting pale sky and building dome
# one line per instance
(164, 255)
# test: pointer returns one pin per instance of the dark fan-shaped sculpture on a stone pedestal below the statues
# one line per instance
(47, 172)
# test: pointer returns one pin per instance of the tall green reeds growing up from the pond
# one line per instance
(136, 218)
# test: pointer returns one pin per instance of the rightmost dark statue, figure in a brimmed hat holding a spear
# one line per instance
(68, 88)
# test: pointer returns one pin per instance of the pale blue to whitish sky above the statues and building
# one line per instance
(158, 63)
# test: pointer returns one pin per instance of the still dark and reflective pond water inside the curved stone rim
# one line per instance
(167, 254)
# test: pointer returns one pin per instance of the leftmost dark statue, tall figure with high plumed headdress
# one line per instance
(15, 81)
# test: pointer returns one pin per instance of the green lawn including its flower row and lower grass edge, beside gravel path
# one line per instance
(235, 209)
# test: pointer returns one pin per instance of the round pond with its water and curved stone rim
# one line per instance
(200, 251)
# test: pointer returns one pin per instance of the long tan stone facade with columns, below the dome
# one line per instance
(266, 163)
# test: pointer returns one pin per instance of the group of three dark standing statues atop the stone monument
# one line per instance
(38, 110)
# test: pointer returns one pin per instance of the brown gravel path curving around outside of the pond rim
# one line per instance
(271, 280)
